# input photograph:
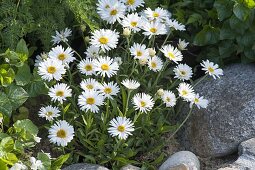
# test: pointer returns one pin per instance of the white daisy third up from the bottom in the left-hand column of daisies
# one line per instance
(60, 92)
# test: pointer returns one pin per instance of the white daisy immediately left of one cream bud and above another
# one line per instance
(139, 51)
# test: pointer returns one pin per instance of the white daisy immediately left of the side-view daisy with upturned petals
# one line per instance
(109, 89)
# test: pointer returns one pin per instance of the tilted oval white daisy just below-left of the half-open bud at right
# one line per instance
(173, 54)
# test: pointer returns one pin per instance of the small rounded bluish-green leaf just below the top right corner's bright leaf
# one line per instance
(241, 11)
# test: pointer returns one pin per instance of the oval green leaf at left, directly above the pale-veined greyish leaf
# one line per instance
(23, 75)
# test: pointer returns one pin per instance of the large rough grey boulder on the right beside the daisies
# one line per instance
(229, 119)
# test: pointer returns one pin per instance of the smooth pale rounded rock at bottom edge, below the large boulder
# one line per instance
(181, 158)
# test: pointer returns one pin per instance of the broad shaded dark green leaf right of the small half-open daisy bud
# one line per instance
(209, 35)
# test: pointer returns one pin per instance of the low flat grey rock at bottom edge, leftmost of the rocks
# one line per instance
(84, 166)
